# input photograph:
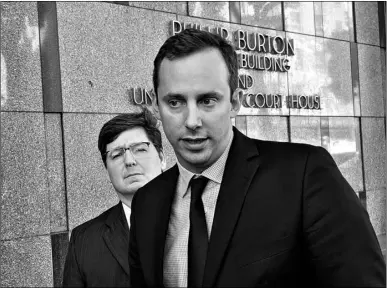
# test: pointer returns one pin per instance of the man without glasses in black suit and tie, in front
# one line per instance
(272, 214)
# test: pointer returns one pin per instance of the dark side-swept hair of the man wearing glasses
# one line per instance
(122, 122)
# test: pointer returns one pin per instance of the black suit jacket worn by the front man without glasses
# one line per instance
(285, 215)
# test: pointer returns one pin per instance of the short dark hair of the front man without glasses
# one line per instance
(190, 41)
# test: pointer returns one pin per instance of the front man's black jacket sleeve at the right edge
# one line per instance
(341, 243)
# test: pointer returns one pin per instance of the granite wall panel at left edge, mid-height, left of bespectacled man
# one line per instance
(25, 206)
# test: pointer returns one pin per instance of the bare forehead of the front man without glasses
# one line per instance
(205, 68)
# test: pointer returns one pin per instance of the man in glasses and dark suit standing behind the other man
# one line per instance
(131, 150)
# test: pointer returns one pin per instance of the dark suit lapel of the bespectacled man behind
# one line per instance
(116, 236)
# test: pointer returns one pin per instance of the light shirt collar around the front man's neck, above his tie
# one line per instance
(214, 172)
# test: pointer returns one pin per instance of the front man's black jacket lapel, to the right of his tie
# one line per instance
(241, 165)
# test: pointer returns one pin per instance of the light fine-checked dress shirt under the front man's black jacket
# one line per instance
(176, 244)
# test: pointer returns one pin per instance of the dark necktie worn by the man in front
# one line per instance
(198, 235)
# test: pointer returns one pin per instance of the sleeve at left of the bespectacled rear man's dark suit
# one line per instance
(72, 276)
